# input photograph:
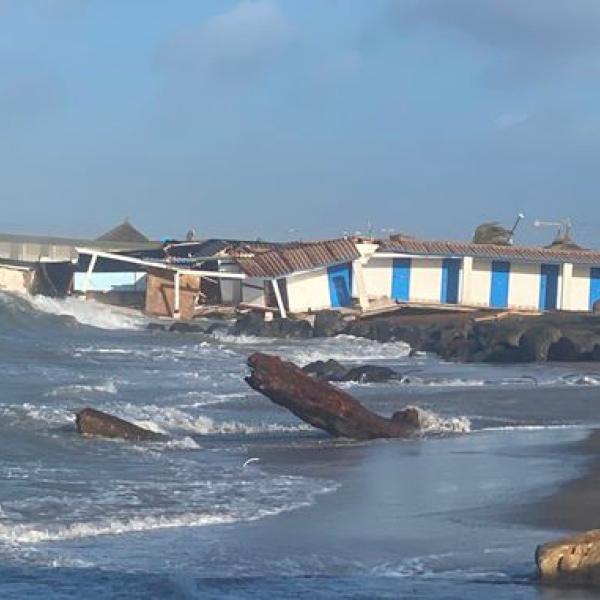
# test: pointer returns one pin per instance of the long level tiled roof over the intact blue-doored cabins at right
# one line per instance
(493, 251)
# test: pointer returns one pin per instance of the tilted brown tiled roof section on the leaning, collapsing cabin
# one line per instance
(298, 257)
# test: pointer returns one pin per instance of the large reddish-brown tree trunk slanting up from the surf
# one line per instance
(323, 405)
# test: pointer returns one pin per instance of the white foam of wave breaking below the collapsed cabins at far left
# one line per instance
(88, 312)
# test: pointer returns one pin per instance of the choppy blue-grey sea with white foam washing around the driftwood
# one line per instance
(243, 500)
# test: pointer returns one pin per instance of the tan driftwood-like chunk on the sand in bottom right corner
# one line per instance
(573, 560)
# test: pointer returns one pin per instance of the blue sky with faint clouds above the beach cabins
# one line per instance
(299, 119)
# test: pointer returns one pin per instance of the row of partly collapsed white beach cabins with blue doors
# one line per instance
(182, 279)
